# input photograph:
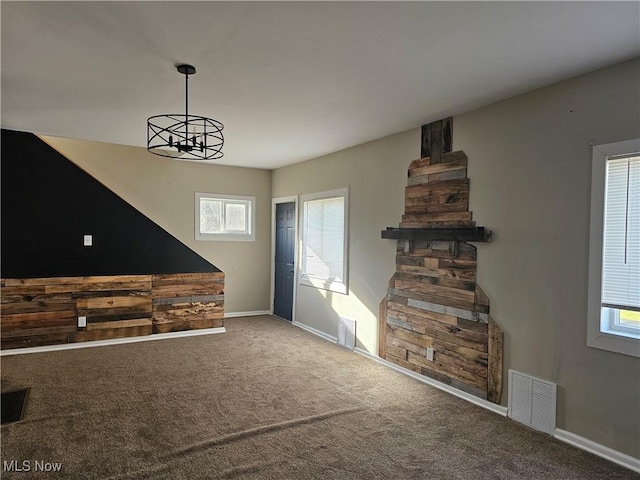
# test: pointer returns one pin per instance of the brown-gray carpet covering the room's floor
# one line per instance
(266, 400)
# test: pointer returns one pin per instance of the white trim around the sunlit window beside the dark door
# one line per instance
(311, 281)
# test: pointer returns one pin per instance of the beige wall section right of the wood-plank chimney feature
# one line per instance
(530, 171)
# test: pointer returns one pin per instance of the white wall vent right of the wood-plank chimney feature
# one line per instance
(532, 401)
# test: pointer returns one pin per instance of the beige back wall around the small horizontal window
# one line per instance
(163, 189)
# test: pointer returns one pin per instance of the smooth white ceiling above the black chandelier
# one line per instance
(291, 80)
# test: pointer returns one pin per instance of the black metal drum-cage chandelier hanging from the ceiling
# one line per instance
(188, 137)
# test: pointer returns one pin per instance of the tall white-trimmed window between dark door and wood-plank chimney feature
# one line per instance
(325, 240)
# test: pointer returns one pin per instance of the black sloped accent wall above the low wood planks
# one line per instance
(49, 204)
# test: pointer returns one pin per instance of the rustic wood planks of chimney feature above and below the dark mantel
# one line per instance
(433, 299)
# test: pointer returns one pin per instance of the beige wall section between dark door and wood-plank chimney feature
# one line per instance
(376, 174)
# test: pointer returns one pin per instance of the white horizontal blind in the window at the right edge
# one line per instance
(621, 241)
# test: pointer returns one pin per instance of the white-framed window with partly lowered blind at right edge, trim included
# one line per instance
(614, 258)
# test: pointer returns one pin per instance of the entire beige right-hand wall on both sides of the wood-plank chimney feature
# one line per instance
(529, 164)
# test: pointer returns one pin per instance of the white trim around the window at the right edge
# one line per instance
(599, 332)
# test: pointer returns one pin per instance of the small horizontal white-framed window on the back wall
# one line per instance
(225, 217)
